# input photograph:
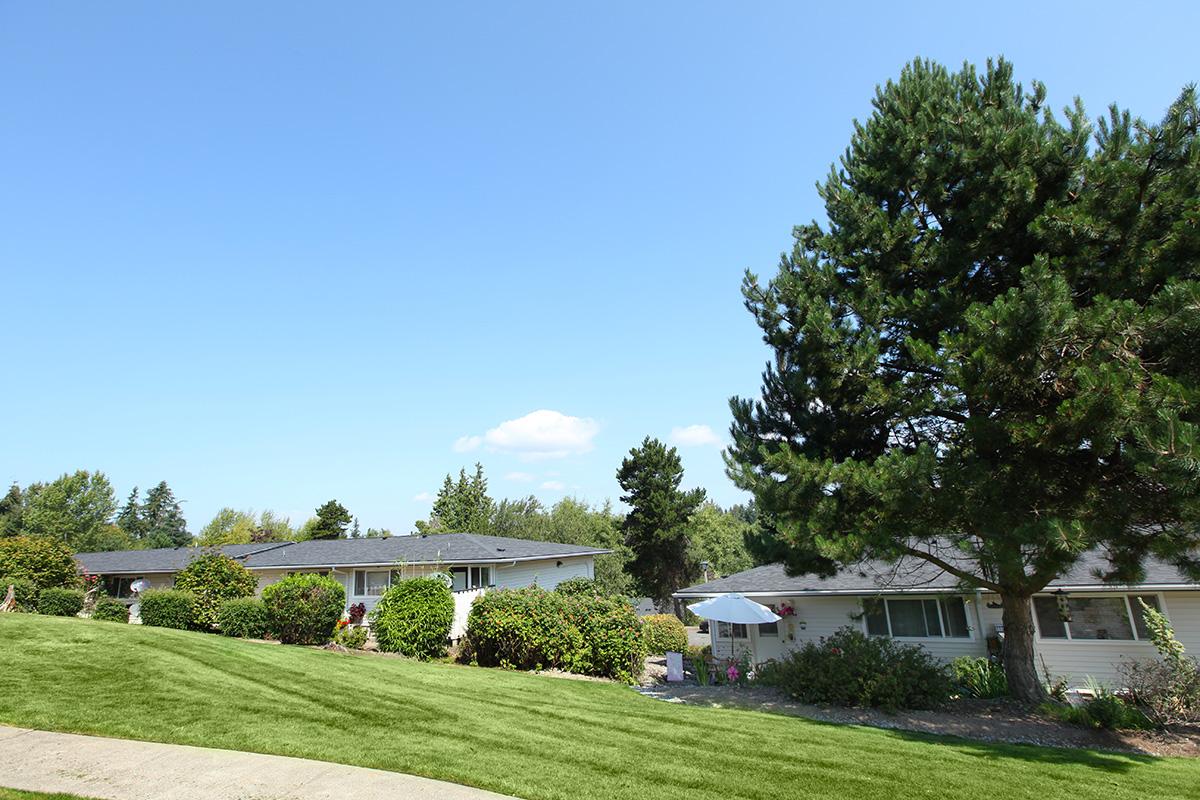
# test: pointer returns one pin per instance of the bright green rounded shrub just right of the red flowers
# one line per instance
(413, 618)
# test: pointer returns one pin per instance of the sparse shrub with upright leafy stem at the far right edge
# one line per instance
(1167, 690)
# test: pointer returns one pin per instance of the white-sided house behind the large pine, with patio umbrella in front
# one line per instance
(1084, 628)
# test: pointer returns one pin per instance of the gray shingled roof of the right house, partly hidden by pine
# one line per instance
(910, 575)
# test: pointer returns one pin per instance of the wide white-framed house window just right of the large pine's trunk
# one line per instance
(1109, 617)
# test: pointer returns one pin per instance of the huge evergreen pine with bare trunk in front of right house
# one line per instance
(987, 360)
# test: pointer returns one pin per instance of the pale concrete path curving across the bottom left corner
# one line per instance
(121, 769)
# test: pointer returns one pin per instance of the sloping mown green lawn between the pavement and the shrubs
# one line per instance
(529, 736)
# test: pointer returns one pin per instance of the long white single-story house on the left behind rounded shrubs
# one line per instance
(367, 568)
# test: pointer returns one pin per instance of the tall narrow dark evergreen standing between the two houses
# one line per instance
(657, 526)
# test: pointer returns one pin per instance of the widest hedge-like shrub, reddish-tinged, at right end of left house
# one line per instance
(535, 629)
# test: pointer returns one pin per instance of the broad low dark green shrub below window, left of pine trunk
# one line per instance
(851, 669)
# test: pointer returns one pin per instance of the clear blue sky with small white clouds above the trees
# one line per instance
(278, 254)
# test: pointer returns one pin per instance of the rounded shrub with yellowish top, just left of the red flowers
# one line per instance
(304, 609)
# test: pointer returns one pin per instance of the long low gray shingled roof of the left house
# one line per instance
(440, 549)
